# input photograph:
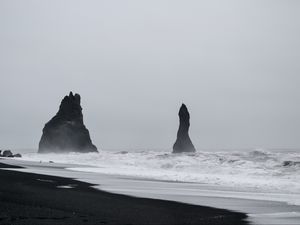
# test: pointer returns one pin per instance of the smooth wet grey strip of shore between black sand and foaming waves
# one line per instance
(261, 208)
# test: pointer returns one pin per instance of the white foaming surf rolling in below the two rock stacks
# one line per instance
(258, 169)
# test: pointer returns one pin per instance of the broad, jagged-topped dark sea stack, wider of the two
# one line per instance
(65, 132)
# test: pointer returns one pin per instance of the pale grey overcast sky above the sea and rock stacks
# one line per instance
(236, 65)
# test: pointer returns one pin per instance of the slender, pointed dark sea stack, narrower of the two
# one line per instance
(183, 142)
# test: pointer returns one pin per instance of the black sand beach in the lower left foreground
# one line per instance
(27, 198)
